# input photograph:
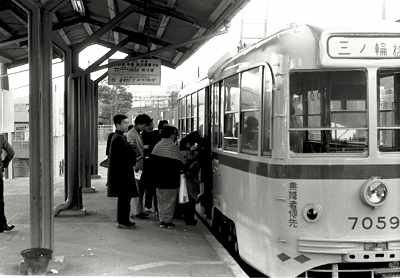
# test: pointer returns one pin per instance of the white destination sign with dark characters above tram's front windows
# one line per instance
(367, 47)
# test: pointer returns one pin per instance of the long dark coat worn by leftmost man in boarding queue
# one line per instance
(120, 170)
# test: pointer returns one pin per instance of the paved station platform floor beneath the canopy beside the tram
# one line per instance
(92, 245)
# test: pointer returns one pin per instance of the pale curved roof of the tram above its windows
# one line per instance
(296, 40)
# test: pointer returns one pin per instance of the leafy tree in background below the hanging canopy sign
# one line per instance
(113, 100)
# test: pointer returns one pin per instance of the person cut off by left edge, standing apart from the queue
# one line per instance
(4, 145)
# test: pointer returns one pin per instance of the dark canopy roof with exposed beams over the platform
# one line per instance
(162, 25)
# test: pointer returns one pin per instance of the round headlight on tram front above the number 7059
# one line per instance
(374, 192)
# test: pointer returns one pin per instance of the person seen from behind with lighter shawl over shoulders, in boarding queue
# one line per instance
(166, 162)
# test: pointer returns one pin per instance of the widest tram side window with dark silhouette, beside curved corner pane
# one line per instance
(253, 109)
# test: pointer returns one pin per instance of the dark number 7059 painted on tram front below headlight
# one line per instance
(380, 222)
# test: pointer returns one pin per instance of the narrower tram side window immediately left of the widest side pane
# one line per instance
(231, 113)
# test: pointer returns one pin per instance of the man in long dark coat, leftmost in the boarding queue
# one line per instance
(121, 177)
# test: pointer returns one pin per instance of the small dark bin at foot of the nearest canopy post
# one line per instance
(36, 261)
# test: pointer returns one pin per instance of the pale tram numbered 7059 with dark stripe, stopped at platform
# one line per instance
(304, 136)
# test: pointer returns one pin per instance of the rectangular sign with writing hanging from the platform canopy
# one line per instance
(138, 72)
